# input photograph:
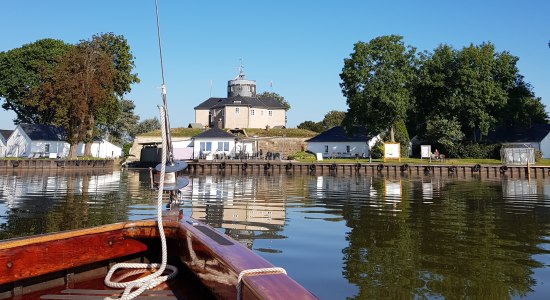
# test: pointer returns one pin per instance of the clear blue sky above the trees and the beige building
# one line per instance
(298, 45)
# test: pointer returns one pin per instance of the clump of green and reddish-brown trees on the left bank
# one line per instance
(79, 87)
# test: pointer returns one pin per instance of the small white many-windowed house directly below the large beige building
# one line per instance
(217, 143)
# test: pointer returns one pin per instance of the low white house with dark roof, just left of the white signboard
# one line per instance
(336, 143)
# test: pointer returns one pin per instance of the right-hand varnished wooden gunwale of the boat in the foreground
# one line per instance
(218, 266)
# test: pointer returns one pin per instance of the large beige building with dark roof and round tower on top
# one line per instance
(241, 109)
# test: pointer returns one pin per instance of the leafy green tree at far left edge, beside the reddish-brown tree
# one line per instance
(22, 70)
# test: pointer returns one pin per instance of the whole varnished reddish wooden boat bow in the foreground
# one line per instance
(73, 264)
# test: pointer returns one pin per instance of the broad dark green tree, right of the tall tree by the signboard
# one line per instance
(470, 87)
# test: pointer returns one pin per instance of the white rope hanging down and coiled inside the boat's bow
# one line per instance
(152, 280)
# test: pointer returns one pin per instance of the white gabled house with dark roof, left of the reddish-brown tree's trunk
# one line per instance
(33, 140)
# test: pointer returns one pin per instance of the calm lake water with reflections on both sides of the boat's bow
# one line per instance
(354, 237)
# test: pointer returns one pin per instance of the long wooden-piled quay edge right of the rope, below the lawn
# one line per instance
(318, 168)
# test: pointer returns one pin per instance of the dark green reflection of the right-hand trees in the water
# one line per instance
(464, 245)
